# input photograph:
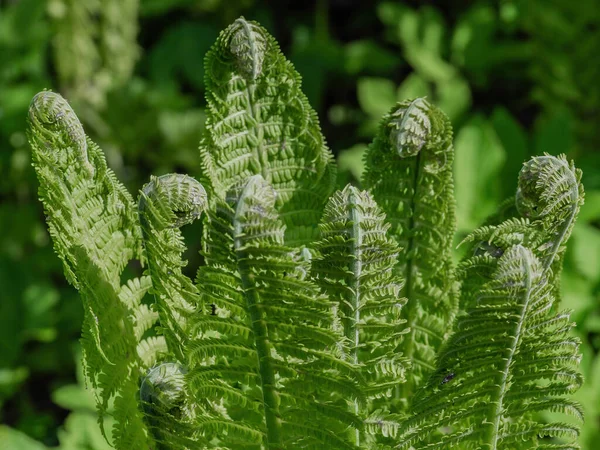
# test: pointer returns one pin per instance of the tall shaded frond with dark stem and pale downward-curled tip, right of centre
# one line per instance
(409, 173)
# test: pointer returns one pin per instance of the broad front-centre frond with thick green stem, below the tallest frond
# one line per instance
(269, 356)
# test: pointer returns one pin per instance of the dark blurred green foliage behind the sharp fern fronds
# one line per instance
(517, 77)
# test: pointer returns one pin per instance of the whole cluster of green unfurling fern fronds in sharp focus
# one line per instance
(318, 320)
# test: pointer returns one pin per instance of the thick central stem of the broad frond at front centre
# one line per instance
(271, 399)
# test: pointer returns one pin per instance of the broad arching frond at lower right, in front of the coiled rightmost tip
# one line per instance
(509, 359)
